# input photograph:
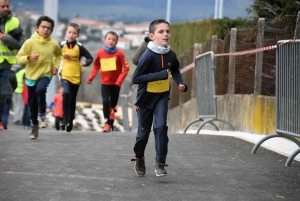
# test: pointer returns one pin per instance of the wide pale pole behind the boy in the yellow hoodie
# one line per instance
(51, 10)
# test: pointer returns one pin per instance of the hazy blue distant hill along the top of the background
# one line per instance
(138, 10)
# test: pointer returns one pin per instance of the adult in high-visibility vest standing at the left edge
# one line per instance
(11, 39)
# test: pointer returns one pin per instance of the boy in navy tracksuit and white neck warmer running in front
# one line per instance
(153, 76)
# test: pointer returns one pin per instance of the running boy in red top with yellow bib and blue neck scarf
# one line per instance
(114, 68)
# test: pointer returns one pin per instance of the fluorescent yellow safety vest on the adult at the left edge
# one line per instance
(5, 52)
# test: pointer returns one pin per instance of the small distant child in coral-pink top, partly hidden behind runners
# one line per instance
(57, 102)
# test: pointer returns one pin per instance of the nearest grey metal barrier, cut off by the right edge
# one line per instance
(287, 95)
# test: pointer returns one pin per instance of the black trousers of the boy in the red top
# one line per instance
(110, 96)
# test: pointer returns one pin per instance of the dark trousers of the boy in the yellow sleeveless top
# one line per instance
(69, 99)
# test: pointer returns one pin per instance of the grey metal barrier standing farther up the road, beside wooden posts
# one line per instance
(206, 96)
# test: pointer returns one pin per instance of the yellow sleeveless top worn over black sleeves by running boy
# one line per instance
(71, 69)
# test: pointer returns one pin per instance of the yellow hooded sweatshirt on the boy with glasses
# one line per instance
(49, 56)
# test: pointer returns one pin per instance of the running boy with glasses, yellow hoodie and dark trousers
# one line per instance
(42, 56)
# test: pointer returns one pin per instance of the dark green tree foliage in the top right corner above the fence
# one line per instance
(273, 9)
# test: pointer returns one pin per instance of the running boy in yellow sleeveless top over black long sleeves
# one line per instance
(72, 52)
